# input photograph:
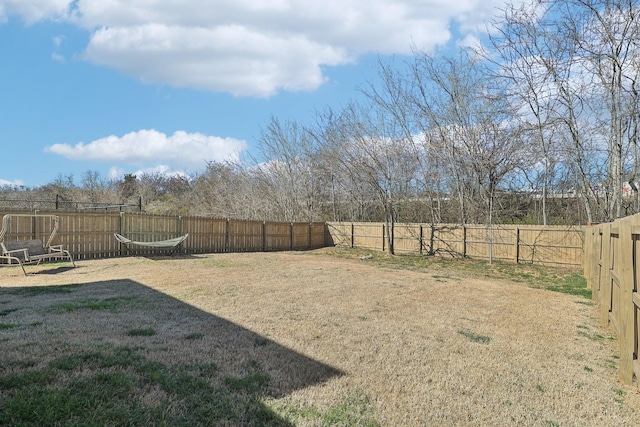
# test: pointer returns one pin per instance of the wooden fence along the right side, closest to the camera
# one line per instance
(612, 270)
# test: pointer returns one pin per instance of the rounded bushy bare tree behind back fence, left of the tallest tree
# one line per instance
(469, 125)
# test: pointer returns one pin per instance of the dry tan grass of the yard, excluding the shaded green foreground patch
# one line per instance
(404, 347)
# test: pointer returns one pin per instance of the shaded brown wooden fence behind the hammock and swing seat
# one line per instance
(90, 235)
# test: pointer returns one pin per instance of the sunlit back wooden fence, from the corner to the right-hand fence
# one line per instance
(561, 245)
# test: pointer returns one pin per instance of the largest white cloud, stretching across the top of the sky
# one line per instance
(254, 47)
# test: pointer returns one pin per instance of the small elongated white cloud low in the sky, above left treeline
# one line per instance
(148, 148)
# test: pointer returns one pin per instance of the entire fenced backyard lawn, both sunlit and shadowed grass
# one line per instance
(332, 337)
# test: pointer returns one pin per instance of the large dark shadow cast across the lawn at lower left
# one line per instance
(74, 356)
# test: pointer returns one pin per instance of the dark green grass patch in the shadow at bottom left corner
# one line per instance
(106, 385)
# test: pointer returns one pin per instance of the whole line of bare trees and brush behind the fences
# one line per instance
(538, 125)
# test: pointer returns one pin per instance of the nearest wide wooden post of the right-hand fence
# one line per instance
(626, 306)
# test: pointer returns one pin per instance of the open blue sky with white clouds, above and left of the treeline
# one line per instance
(165, 86)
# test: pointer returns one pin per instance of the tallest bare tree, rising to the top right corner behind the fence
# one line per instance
(582, 56)
